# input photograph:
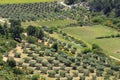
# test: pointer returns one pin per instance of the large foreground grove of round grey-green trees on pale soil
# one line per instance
(41, 58)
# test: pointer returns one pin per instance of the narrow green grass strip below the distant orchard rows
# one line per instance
(53, 23)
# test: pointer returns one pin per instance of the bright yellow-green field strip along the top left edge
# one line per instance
(22, 1)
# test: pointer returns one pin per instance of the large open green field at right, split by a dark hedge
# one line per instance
(111, 46)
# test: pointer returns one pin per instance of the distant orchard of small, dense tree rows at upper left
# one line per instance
(30, 11)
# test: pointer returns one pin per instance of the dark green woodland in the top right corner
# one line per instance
(106, 6)
